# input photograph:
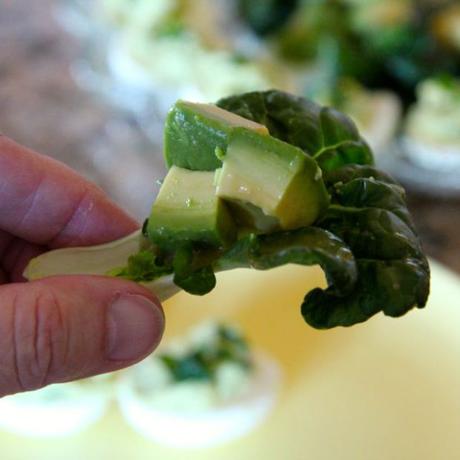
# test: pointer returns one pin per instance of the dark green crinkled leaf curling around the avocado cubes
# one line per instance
(365, 242)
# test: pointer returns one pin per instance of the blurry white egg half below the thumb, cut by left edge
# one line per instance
(57, 410)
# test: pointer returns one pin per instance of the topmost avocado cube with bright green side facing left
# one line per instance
(195, 132)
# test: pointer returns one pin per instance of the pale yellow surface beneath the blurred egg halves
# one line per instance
(385, 390)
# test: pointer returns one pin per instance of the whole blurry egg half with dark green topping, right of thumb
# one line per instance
(200, 390)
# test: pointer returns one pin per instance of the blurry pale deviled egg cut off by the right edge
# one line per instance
(432, 133)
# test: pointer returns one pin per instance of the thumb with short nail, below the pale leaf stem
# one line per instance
(69, 327)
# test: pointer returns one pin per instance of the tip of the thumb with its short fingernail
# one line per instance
(134, 327)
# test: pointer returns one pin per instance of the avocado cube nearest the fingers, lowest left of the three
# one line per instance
(188, 209)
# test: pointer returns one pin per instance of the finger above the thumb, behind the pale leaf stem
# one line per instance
(45, 202)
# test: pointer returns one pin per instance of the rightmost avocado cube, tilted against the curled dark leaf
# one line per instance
(273, 175)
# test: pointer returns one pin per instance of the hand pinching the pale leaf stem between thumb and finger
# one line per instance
(63, 328)
